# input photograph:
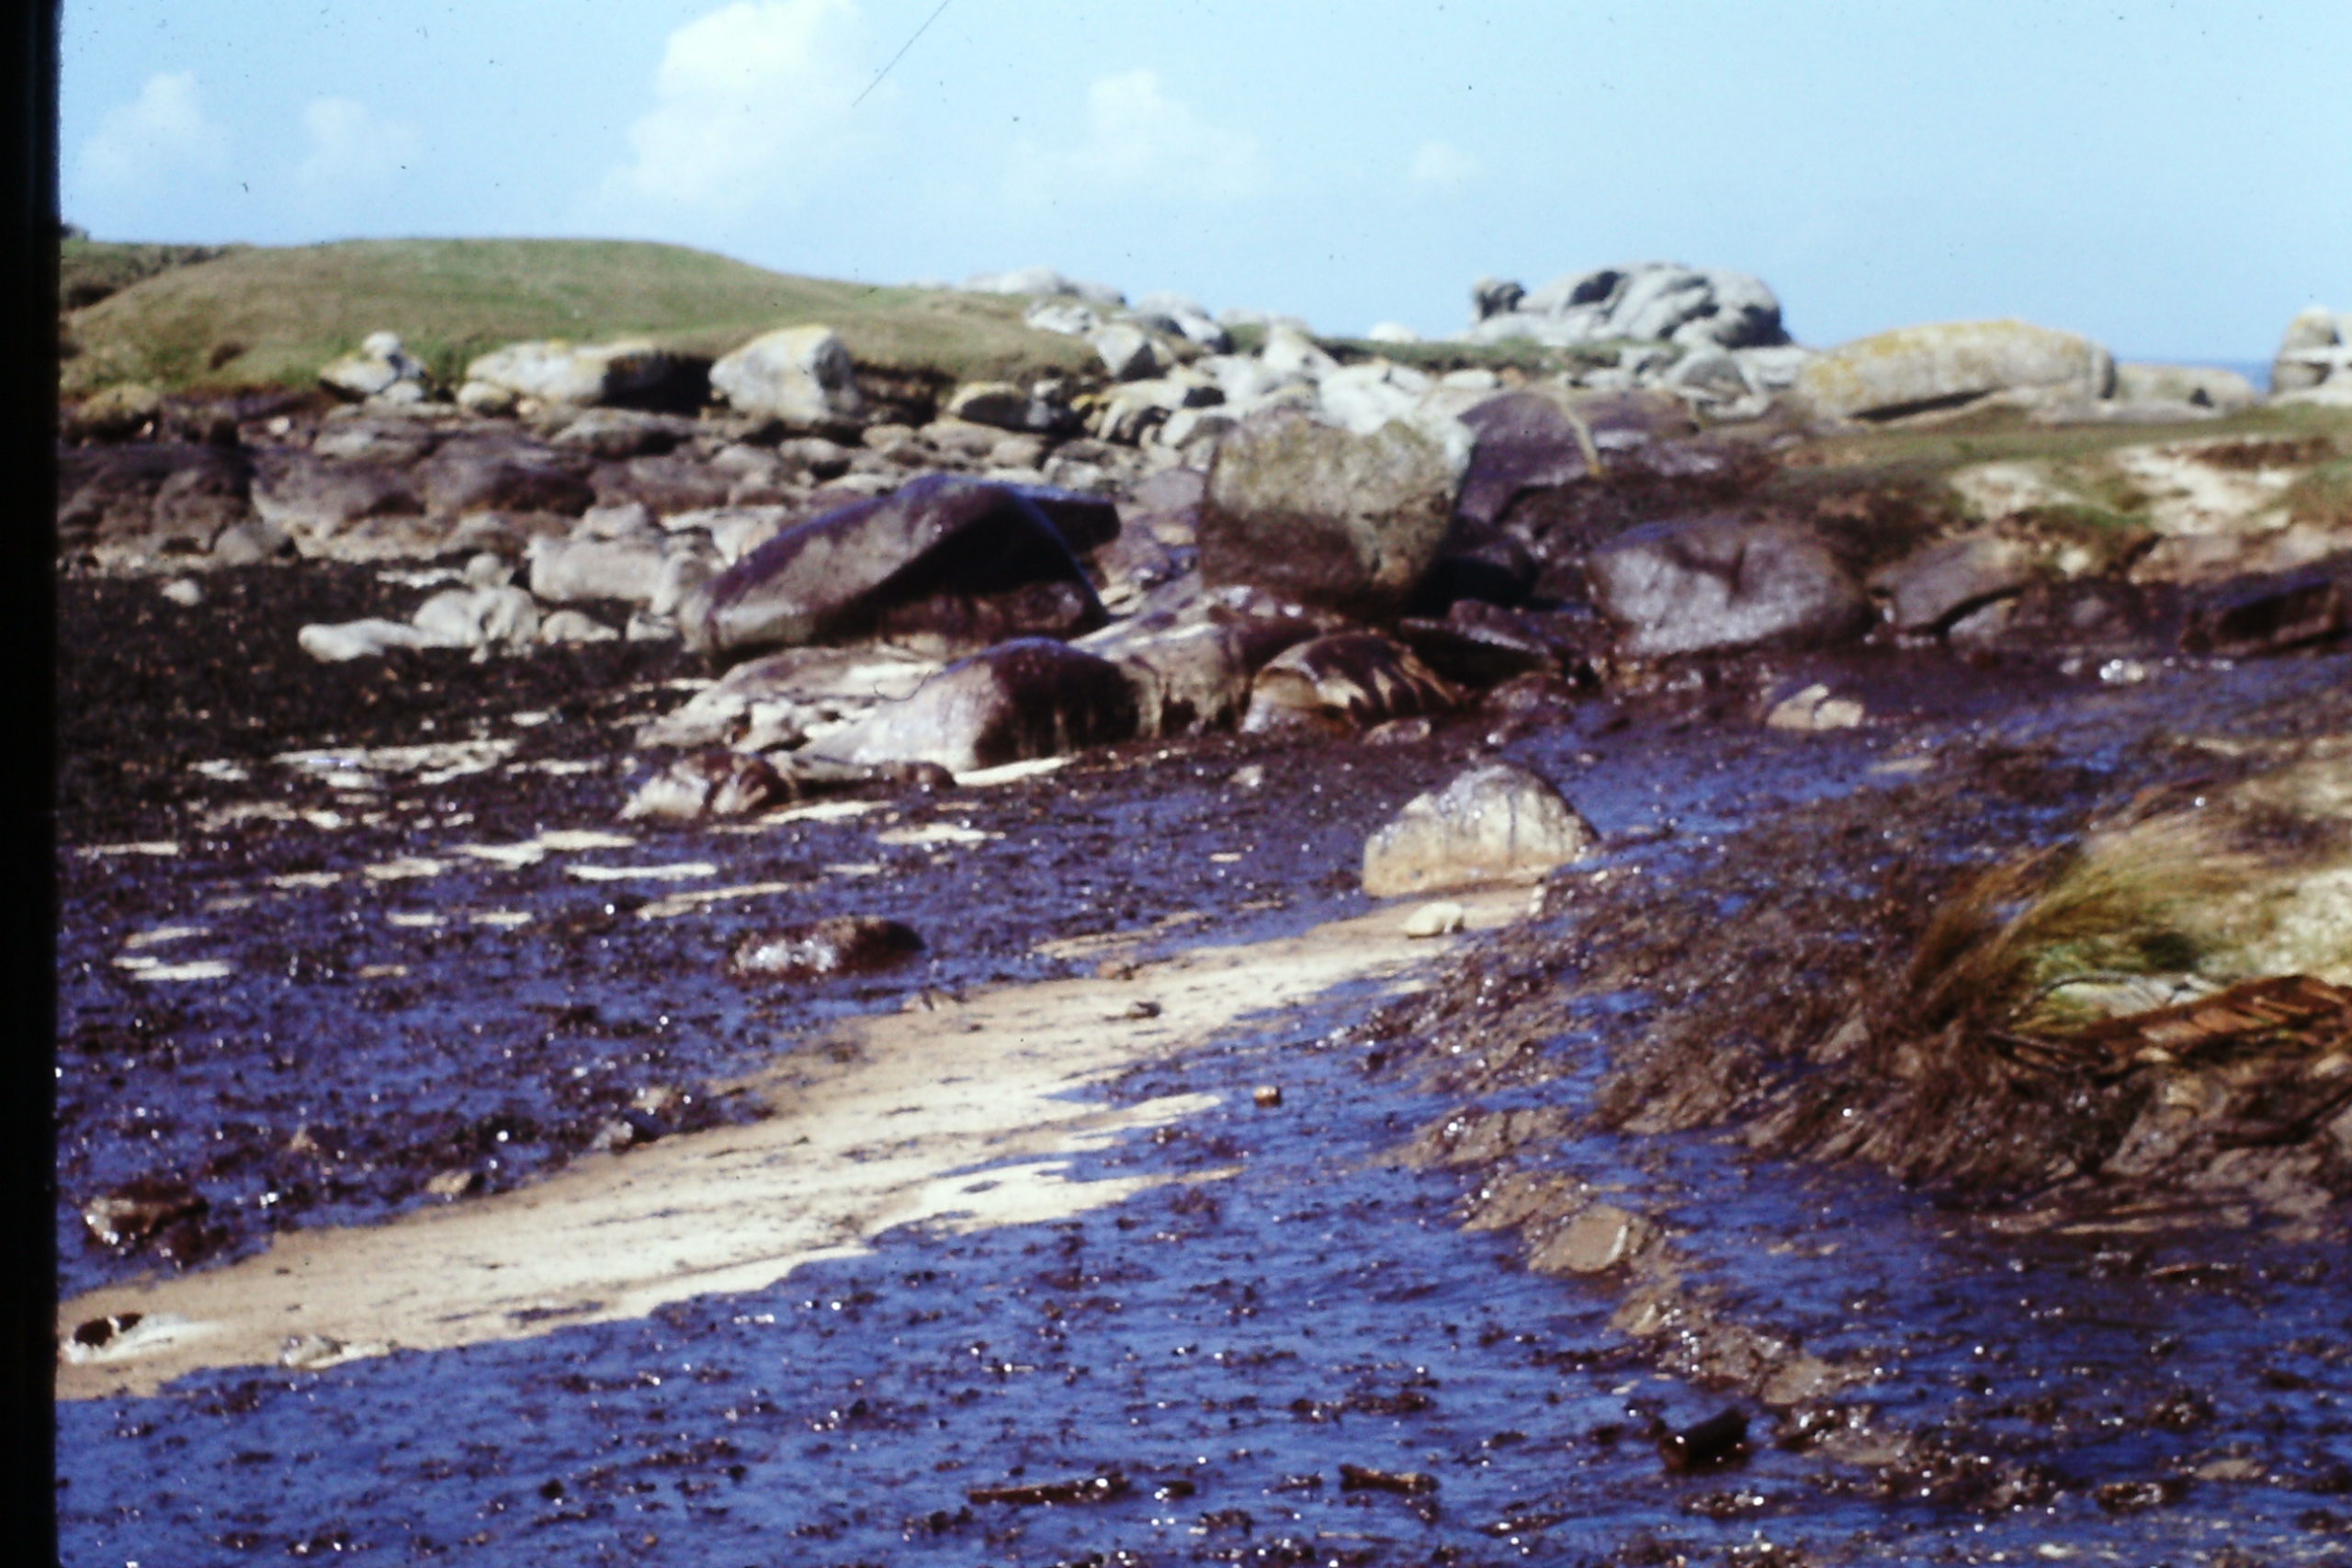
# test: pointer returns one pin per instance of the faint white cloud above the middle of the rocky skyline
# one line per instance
(1142, 142)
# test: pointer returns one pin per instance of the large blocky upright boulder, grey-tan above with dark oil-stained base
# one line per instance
(1328, 518)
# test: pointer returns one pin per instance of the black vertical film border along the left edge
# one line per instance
(29, 664)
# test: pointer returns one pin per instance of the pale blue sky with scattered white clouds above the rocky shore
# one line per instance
(2170, 180)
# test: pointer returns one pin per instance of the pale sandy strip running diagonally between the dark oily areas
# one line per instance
(958, 1113)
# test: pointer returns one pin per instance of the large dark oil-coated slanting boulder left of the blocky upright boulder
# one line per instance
(942, 565)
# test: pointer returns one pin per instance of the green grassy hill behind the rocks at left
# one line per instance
(274, 316)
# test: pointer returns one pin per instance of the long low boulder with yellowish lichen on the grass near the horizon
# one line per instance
(1953, 363)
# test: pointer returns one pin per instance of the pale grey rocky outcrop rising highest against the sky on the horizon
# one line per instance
(1645, 302)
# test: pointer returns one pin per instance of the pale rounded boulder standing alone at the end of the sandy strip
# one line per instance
(1495, 824)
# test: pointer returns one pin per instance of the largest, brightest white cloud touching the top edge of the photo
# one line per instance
(751, 107)
